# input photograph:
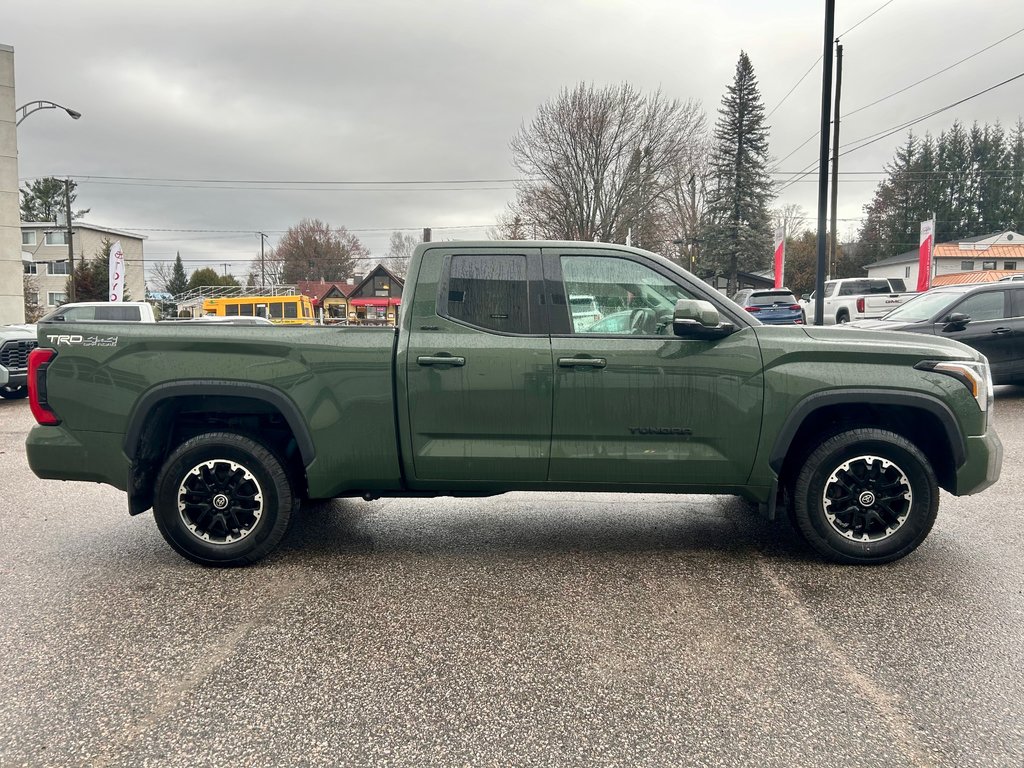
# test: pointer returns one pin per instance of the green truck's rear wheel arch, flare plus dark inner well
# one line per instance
(154, 429)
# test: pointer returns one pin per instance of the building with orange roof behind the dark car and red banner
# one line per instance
(977, 259)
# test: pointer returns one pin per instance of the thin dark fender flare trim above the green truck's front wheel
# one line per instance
(919, 401)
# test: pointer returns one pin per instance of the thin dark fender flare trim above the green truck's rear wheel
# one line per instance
(210, 388)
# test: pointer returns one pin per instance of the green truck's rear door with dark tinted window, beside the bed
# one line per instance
(479, 370)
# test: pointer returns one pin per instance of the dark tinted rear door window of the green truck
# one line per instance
(490, 291)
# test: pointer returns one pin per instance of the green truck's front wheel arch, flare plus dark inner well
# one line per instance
(924, 420)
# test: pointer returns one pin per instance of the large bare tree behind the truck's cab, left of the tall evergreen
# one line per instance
(600, 162)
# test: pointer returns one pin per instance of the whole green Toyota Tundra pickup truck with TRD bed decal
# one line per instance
(492, 383)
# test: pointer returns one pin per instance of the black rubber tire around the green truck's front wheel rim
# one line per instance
(823, 462)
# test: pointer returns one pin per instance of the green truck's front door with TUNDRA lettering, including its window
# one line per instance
(634, 405)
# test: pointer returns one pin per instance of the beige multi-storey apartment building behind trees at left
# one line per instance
(45, 255)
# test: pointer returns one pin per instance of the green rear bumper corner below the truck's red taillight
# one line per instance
(56, 454)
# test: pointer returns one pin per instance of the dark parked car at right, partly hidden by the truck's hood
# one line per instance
(989, 317)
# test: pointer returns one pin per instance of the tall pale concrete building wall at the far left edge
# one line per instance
(12, 280)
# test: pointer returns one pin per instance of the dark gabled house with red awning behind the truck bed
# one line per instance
(373, 300)
